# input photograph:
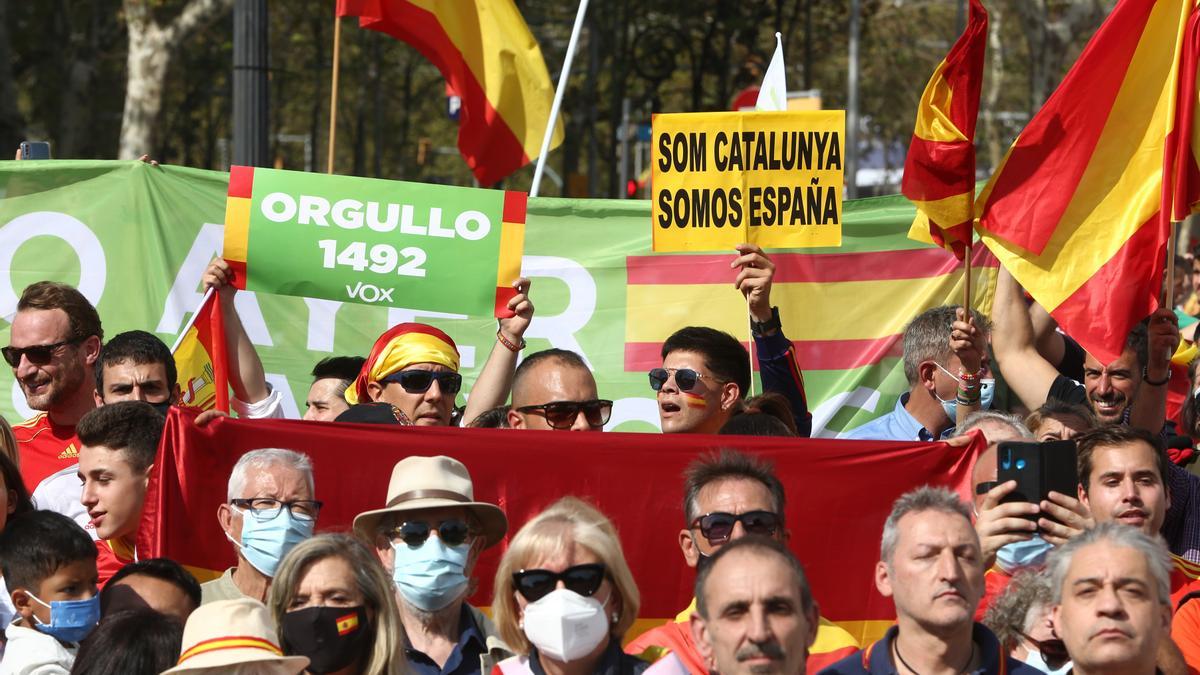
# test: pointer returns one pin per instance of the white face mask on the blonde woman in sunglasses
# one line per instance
(565, 625)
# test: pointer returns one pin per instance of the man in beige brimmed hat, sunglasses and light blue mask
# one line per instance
(430, 537)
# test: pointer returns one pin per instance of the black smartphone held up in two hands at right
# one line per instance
(1039, 469)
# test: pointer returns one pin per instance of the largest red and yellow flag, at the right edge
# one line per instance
(1078, 210)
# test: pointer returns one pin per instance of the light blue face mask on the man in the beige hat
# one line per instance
(431, 576)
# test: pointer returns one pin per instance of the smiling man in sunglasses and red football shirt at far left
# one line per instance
(53, 348)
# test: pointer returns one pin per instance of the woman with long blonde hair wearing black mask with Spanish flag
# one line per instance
(334, 604)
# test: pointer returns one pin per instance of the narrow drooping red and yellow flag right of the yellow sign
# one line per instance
(939, 172)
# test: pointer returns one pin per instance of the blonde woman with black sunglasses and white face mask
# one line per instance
(565, 595)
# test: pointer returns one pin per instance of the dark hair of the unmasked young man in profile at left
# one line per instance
(133, 427)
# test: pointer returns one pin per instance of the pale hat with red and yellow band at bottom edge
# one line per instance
(226, 634)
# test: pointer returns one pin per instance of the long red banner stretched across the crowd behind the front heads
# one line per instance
(839, 494)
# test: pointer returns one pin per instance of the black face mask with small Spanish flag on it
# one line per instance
(332, 637)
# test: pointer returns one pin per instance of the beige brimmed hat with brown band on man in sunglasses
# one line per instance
(423, 483)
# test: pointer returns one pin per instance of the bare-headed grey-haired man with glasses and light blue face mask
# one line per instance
(271, 509)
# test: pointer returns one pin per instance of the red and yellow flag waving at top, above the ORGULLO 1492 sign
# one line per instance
(489, 57)
